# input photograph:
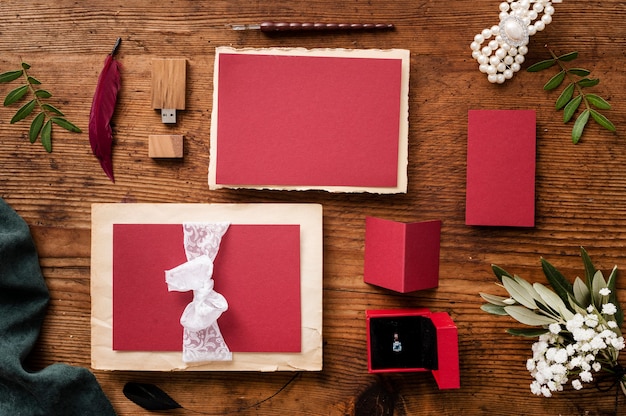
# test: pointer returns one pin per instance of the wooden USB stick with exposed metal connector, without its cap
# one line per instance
(169, 77)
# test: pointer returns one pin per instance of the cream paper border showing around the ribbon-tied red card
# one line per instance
(308, 216)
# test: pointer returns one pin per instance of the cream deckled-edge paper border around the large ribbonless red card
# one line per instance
(403, 145)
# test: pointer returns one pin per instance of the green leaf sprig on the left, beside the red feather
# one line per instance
(41, 126)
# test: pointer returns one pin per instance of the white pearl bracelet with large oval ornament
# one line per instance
(503, 55)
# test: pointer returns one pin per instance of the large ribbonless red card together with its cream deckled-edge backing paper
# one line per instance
(310, 119)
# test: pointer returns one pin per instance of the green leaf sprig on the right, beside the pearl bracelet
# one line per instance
(574, 94)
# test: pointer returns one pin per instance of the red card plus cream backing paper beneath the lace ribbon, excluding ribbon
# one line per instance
(268, 267)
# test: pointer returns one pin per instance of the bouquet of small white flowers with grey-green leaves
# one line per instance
(579, 332)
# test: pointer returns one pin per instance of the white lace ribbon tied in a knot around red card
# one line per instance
(202, 339)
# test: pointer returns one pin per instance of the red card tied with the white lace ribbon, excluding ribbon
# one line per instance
(257, 269)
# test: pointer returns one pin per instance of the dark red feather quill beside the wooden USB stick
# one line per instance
(102, 109)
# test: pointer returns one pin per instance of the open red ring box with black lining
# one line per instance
(429, 343)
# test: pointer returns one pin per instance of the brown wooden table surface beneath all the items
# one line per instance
(580, 189)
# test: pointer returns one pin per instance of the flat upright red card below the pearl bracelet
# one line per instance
(501, 168)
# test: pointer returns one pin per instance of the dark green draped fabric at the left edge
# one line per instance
(59, 389)
